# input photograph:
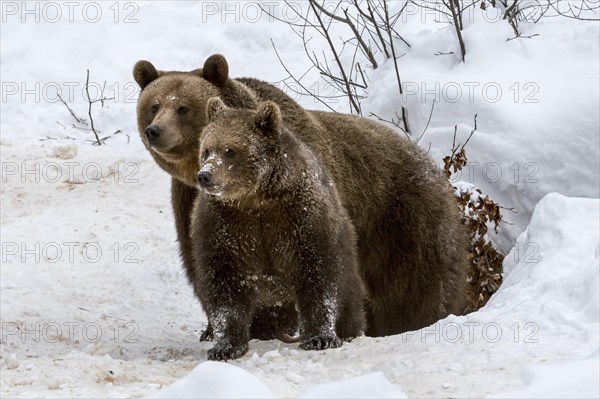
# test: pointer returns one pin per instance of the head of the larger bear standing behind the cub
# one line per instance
(171, 110)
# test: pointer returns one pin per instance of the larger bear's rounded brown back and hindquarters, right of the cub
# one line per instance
(407, 221)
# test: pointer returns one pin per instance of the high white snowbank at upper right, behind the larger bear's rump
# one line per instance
(536, 103)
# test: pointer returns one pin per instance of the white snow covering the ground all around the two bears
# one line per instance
(93, 298)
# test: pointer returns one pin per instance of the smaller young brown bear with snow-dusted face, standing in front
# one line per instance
(269, 229)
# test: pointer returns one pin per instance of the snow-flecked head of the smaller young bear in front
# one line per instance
(239, 150)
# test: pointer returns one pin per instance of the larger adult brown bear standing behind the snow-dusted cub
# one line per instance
(412, 246)
